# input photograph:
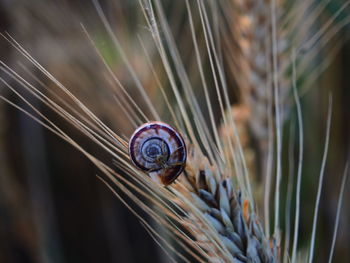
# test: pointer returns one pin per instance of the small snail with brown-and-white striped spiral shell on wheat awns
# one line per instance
(158, 149)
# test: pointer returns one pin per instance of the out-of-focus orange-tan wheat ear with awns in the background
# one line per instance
(260, 41)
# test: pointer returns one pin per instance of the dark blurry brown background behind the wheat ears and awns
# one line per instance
(53, 208)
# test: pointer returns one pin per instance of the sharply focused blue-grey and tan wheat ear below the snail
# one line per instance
(222, 209)
